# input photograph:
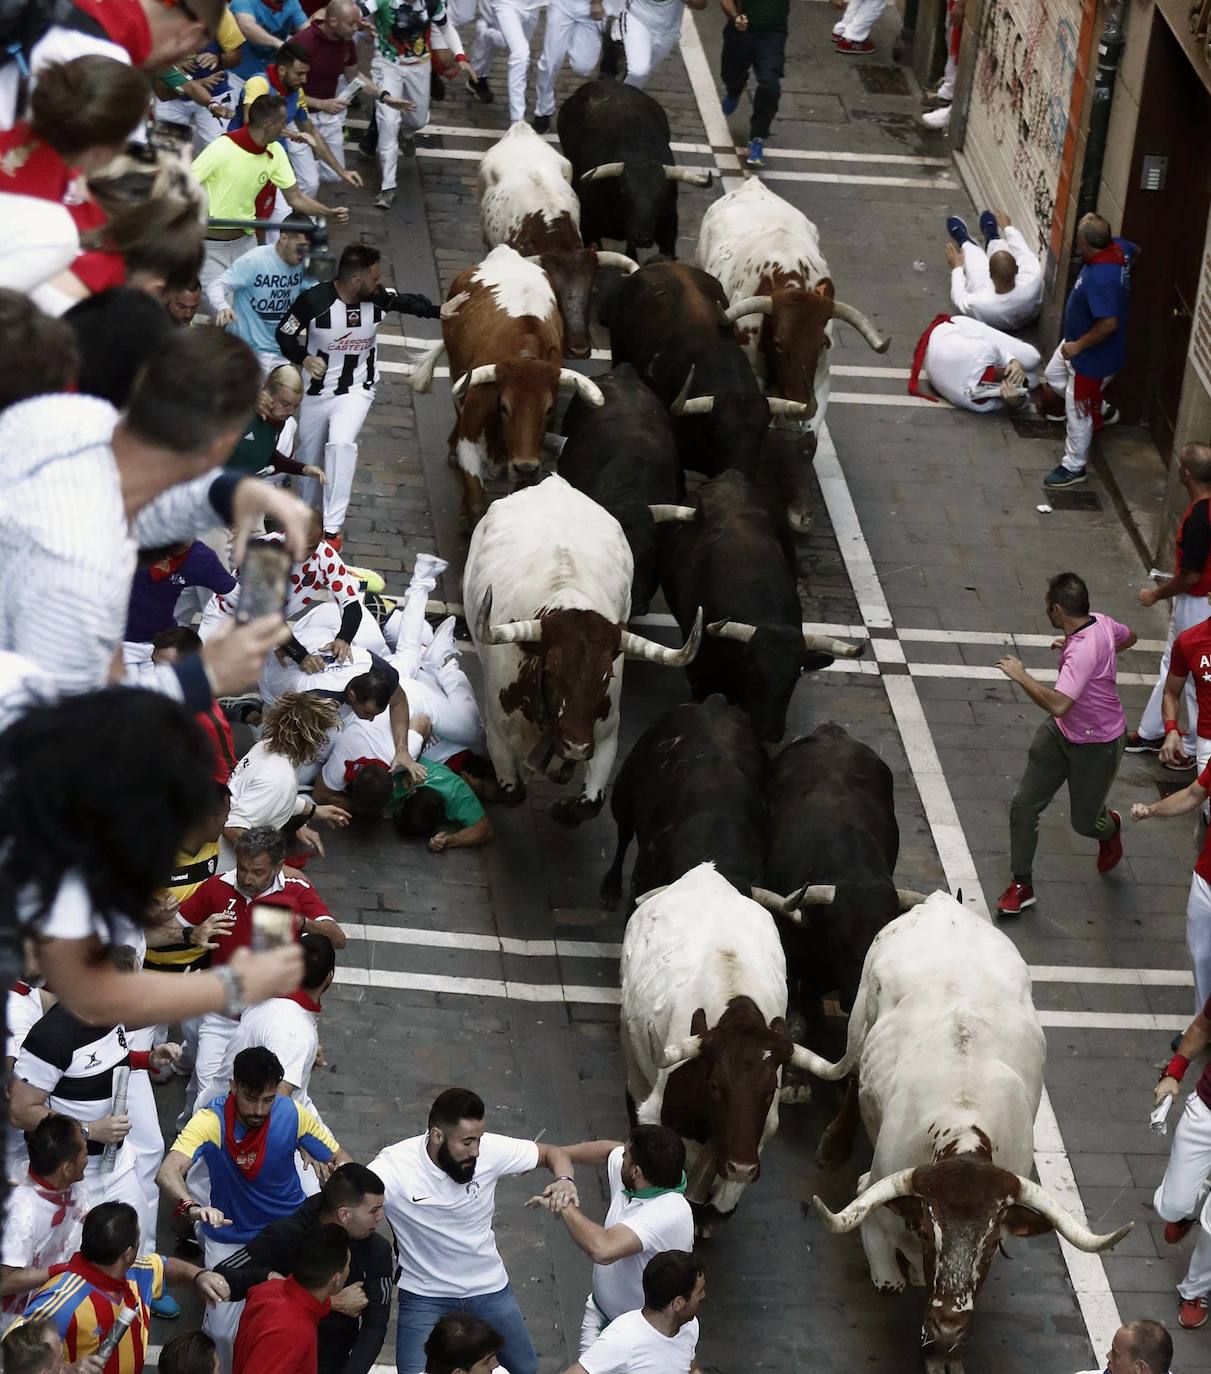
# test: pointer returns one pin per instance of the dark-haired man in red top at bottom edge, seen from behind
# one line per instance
(278, 1328)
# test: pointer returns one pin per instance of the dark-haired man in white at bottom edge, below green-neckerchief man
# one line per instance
(663, 1335)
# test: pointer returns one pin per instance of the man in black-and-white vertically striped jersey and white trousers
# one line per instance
(331, 333)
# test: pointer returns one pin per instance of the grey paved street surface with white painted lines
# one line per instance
(498, 971)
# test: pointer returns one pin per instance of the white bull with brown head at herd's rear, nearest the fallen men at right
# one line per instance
(769, 260)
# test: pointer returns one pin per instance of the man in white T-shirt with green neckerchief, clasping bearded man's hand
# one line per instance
(648, 1214)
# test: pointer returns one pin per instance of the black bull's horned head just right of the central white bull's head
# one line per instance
(773, 659)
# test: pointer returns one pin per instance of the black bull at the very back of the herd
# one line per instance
(618, 141)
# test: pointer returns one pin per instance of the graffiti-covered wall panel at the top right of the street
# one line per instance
(1022, 97)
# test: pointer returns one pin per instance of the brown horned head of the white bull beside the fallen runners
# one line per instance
(564, 688)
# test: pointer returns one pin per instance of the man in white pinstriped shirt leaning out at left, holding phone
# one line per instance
(83, 488)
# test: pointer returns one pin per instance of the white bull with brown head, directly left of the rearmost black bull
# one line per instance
(527, 201)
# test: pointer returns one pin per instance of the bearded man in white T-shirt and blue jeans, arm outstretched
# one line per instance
(441, 1200)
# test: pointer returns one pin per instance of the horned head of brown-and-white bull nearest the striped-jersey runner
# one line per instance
(522, 396)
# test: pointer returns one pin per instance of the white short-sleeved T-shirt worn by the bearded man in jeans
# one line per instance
(445, 1237)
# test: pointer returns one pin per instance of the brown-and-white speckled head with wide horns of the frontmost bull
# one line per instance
(962, 1208)
